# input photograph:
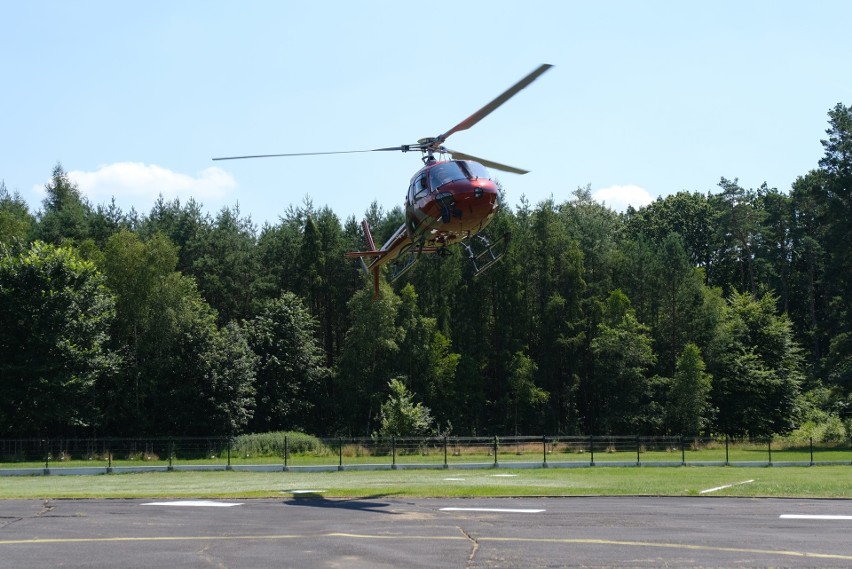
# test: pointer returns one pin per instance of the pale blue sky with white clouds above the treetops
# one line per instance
(645, 98)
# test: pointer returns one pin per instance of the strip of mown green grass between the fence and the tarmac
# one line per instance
(810, 482)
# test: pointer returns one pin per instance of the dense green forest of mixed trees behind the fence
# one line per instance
(725, 312)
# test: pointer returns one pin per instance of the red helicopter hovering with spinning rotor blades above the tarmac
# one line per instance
(449, 201)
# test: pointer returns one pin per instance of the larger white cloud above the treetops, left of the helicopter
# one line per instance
(142, 183)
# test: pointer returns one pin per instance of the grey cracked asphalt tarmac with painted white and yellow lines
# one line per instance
(306, 530)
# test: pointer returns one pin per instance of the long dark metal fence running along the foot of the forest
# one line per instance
(99, 455)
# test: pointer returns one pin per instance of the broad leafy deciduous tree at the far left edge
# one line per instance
(55, 315)
